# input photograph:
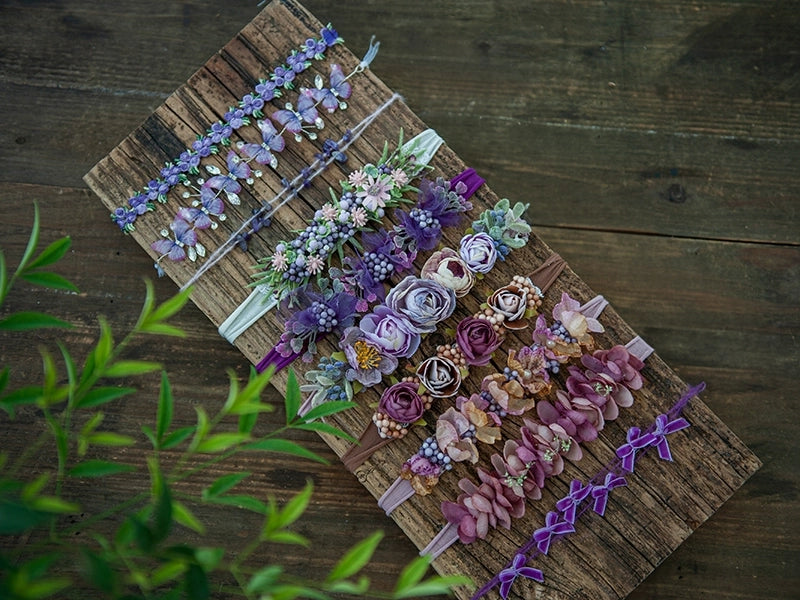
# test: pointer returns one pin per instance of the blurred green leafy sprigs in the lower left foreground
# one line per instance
(146, 554)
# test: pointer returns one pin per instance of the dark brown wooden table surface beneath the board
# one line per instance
(657, 143)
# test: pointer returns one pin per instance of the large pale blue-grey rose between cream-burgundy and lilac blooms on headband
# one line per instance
(423, 301)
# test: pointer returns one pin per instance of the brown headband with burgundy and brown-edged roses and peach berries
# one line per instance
(441, 376)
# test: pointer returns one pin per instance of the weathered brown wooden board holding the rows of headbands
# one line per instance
(663, 504)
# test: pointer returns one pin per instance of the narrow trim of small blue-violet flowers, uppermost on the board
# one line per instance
(218, 134)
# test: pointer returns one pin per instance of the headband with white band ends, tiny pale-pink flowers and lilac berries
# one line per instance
(340, 216)
